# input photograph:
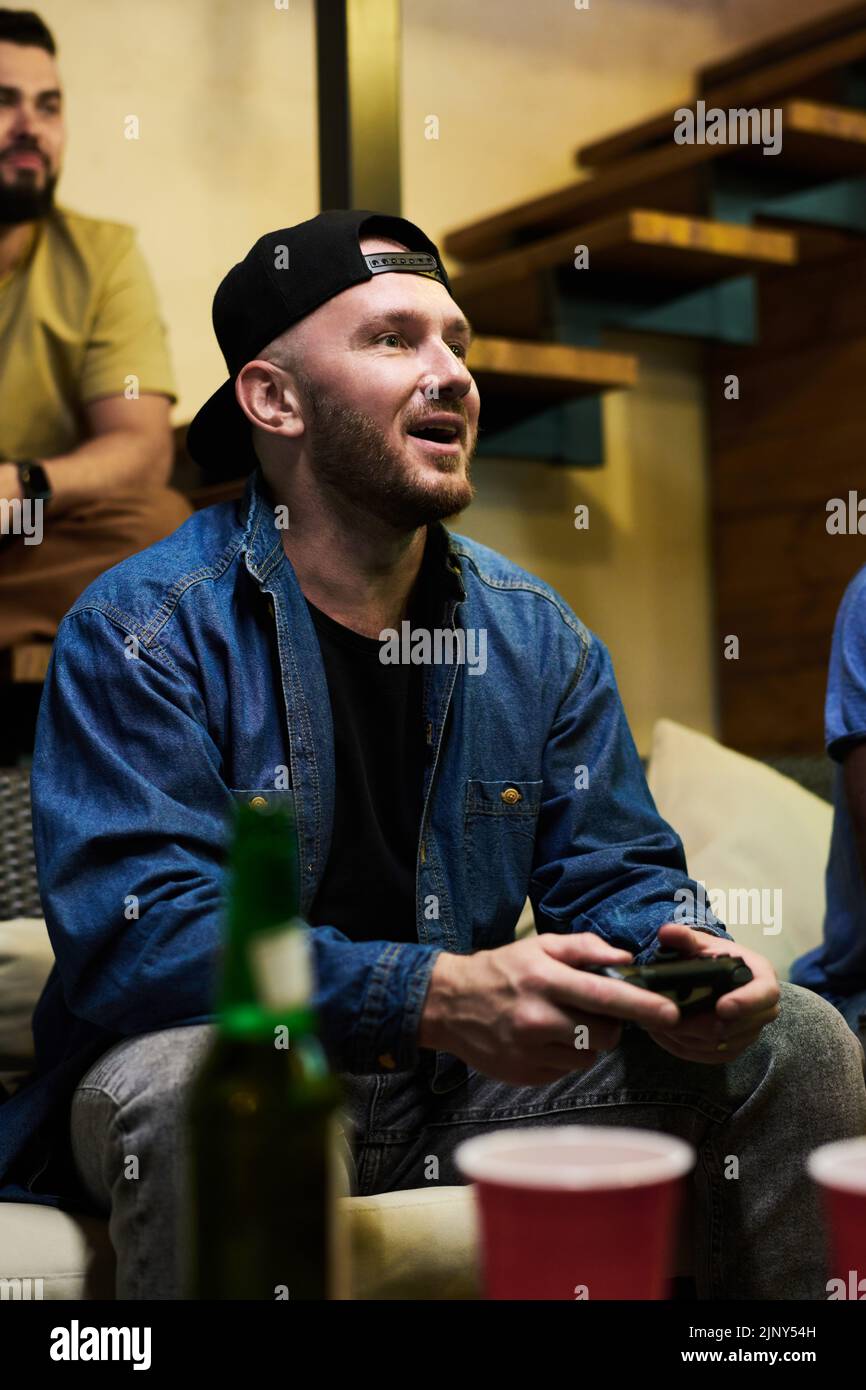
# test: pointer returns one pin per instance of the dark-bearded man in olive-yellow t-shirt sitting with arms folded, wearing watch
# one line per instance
(85, 377)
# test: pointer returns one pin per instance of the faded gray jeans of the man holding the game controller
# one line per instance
(758, 1223)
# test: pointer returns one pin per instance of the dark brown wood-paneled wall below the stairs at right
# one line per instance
(794, 440)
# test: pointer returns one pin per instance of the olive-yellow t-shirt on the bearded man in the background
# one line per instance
(79, 320)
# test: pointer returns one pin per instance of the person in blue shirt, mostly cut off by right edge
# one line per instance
(838, 968)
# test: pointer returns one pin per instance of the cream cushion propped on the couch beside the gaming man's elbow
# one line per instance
(751, 833)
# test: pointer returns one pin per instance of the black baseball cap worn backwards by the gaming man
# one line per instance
(283, 279)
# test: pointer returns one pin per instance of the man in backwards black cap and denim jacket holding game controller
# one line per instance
(432, 797)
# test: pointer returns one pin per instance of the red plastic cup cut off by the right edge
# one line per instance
(840, 1171)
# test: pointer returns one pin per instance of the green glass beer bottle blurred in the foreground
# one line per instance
(263, 1217)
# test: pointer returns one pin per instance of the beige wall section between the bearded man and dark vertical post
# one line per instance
(226, 98)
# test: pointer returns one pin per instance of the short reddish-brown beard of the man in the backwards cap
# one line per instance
(355, 462)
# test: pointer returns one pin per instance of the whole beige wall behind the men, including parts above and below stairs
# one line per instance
(226, 90)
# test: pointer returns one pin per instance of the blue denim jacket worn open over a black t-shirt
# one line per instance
(191, 673)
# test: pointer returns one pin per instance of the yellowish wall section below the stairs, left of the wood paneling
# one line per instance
(640, 575)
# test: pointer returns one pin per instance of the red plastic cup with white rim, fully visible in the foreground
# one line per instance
(576, 1211)
